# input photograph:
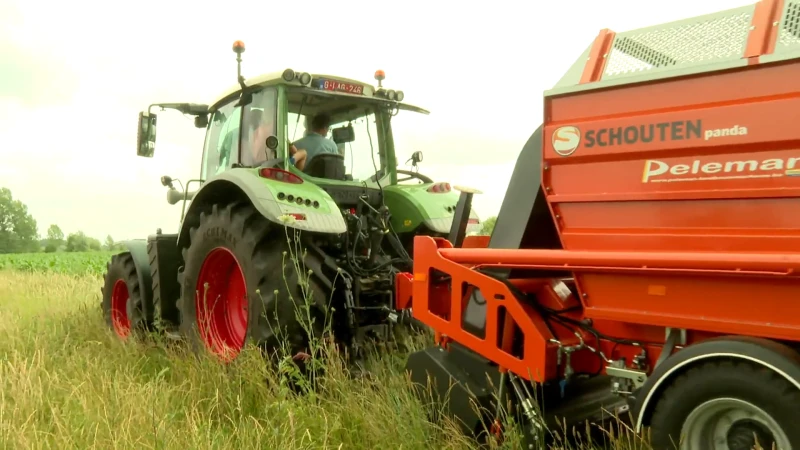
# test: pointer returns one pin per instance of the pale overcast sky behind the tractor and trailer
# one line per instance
(73, 79)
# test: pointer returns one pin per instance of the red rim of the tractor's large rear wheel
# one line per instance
(222, 304)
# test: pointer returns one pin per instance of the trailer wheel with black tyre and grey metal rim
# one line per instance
(684, 411)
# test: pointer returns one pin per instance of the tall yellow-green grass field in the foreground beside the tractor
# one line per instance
(68, 383)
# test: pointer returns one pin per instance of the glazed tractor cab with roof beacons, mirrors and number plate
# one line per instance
(255, 122)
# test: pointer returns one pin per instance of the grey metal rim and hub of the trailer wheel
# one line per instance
(732, 424)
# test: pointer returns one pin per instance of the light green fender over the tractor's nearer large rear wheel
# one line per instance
(245, 184)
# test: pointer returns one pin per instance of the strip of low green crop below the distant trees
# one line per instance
(88, 263)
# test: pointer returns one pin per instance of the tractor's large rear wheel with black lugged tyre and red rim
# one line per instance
(253, 291)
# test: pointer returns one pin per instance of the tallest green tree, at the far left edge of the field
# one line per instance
(18, 229)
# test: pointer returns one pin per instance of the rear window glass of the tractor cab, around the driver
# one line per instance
(362, 156)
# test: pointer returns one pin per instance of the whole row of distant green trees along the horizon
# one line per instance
(19, 232)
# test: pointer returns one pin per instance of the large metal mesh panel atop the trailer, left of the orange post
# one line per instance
(702, 39)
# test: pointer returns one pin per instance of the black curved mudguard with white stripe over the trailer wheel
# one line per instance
(772, 355)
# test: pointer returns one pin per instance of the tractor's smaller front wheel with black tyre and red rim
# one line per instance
(122, 297)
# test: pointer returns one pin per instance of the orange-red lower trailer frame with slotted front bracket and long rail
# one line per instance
(637, 296)
